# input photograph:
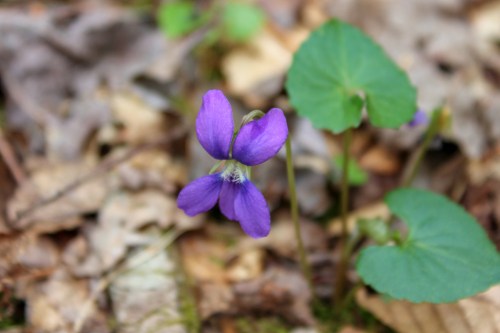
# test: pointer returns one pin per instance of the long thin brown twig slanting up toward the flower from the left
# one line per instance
(102, 168)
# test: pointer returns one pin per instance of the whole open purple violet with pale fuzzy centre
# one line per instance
(256, 142)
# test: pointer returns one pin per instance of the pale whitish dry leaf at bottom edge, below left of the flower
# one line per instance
(146, 295)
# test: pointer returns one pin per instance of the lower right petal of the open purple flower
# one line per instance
(252, 211)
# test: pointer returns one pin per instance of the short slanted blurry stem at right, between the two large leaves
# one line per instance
(417, 157)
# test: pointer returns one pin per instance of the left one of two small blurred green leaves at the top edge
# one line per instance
(177, 18)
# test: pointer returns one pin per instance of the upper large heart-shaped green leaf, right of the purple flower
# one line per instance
(339, 70)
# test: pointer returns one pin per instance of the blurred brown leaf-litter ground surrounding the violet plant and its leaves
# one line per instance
(97, 108)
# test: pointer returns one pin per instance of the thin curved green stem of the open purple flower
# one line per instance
(304, 264)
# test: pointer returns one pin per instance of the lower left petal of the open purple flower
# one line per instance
(200, 195)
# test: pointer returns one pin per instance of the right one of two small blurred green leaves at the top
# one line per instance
(241, 21)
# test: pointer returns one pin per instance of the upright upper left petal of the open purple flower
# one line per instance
(215, 125)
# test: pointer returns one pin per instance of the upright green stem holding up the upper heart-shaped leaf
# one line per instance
(341, 271)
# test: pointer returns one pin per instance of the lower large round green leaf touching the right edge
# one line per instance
(446, 256)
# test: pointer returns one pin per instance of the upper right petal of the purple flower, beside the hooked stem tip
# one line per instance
(261, 139)
